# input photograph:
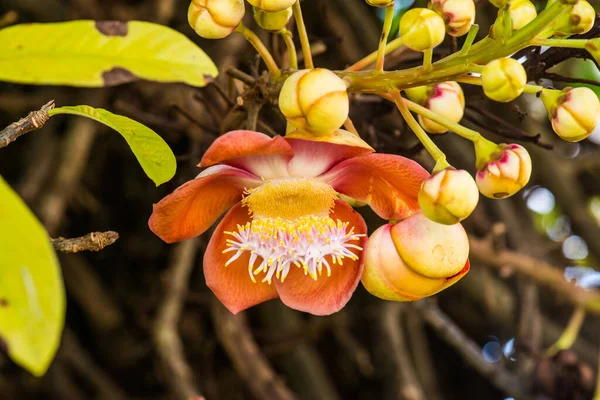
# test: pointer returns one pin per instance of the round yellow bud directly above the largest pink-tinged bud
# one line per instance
(448, 196)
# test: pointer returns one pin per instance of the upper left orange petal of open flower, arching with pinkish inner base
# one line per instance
(252, 151)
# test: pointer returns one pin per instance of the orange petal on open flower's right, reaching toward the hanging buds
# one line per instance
(388, 183)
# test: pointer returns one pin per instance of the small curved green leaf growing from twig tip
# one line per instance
(153, 153)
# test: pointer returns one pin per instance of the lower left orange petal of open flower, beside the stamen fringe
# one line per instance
(232, 284)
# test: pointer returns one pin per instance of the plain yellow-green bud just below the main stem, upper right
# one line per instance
(503, 79)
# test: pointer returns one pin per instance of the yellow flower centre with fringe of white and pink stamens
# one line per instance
(291, 227)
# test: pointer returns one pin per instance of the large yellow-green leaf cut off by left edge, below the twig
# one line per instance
(32, 295)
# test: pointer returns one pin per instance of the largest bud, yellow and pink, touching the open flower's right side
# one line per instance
(415, 258)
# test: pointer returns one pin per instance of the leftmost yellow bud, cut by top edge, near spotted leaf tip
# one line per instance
(215, 19)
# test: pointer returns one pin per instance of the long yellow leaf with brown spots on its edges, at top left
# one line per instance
(97, 54)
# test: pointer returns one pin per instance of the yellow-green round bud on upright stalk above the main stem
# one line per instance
(422, 29)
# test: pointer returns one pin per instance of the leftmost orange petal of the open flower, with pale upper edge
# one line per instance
(193, 207)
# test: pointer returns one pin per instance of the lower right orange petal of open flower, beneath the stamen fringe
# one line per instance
(328, 294)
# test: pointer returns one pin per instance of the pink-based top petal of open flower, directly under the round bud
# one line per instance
(314, 158)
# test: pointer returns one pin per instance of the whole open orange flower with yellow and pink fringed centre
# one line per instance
(286, 234)
